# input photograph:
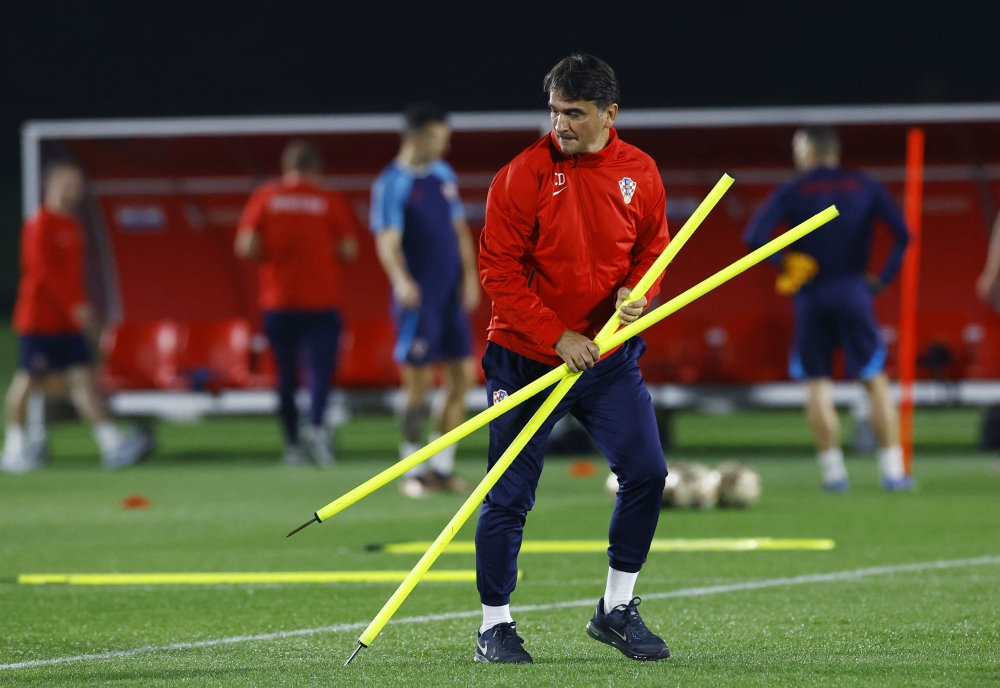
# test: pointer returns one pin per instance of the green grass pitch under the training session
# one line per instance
(220, 503)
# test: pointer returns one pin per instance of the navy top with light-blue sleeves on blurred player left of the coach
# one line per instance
(423, 204)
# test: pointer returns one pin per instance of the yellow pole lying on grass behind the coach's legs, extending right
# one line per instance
(675, 545)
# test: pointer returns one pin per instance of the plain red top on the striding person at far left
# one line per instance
(51, 287)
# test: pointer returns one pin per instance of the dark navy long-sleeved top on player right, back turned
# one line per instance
(842, 246)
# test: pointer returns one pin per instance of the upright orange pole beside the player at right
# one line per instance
(909, 279)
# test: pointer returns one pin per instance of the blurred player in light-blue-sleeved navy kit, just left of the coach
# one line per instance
(426, 249)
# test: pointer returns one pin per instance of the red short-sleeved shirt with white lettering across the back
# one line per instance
(301, 227)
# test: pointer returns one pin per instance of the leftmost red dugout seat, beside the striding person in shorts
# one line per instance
(140, 355)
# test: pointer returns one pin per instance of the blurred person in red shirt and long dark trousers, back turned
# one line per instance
(298, 233)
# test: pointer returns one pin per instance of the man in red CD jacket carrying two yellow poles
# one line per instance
(572, 224)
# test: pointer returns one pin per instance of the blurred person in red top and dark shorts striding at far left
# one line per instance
(51, 316)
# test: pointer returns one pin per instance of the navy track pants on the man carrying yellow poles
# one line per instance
(611, 402)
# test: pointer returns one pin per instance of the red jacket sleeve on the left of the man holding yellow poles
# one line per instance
(503, 252)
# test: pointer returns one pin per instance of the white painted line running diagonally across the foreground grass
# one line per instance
(833, 577)
